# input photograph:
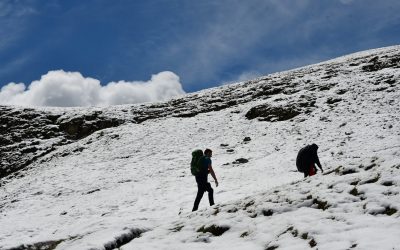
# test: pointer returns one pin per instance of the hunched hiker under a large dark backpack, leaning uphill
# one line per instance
(306, 160)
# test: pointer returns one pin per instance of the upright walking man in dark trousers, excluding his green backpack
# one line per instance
(201, 178)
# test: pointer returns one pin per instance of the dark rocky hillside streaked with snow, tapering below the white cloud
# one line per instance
(26, 135)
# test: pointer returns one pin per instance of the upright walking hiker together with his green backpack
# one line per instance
(200, 166)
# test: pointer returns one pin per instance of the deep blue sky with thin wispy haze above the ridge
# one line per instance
(205, 43)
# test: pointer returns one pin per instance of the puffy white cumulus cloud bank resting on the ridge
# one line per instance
(71, 89)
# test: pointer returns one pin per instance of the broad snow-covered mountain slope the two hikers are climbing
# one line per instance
(129, 186)
